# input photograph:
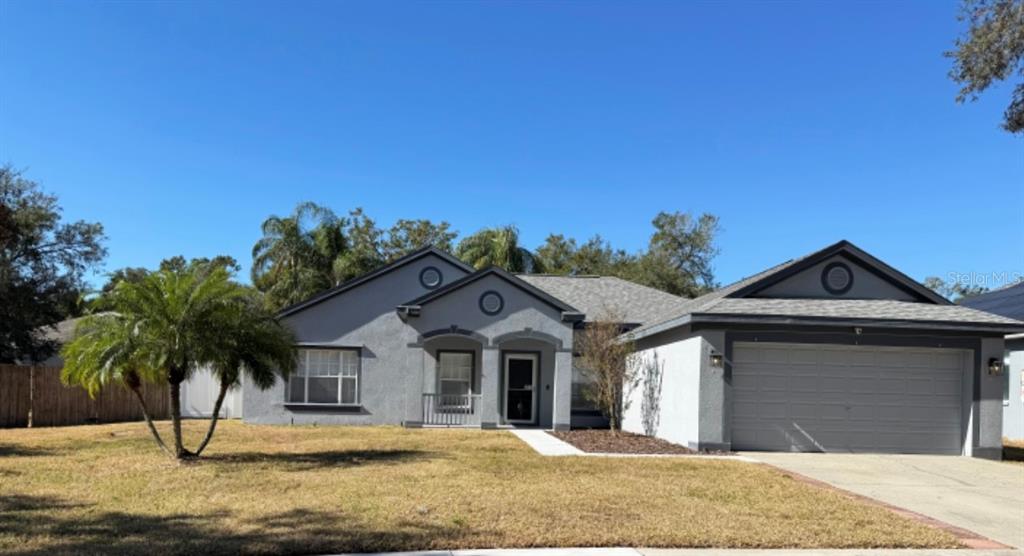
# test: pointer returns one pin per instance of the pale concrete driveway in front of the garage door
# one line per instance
(980, 496)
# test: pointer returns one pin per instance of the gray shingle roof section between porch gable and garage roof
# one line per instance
(596, 296)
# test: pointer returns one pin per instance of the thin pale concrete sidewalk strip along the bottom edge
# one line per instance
(702, 552)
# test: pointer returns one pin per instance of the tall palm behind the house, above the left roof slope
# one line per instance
(293, 261)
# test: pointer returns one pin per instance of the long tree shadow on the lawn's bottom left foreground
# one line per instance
(42, 526)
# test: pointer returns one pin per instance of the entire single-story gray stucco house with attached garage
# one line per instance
(834, 352)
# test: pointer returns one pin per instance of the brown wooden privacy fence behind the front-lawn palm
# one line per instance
(34, 397)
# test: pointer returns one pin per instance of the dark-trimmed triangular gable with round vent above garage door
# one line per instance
(869, 279)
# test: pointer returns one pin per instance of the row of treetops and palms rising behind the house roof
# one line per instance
(314, 249)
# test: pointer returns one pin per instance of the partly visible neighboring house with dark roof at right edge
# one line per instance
(1009, 303)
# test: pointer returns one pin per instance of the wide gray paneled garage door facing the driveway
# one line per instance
(807, 398)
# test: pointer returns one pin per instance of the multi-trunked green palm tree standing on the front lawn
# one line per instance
(169, 325)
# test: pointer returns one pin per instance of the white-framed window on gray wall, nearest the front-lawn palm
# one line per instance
(326, 377)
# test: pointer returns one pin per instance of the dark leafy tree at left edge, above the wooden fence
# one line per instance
(42, 263)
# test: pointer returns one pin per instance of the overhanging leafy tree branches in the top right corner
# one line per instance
(990, 52)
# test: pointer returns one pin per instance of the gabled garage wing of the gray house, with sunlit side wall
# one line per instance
(836, 352)
